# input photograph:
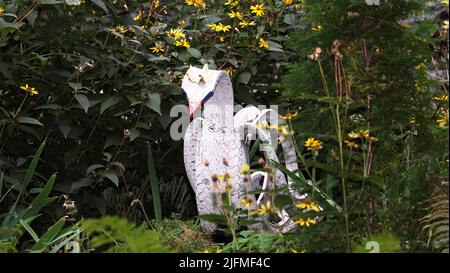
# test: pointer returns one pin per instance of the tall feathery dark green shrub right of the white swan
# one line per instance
(386, 59)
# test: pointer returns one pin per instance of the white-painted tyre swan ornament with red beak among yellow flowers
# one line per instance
(217, 144)
